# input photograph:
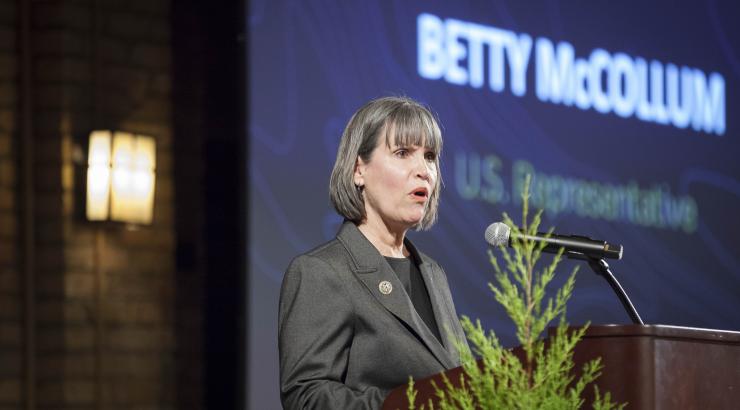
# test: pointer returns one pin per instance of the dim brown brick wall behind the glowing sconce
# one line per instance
(108, 329)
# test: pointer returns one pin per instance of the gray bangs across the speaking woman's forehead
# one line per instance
(413, 125)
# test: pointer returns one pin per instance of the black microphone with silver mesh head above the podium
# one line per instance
(498, 233)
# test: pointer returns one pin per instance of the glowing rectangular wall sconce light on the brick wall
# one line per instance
(120, 177)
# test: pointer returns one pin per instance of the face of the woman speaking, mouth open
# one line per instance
(397, 183)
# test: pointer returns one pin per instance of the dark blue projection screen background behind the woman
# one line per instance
(311, 64)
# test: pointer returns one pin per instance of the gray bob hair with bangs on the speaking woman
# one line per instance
(401, 118)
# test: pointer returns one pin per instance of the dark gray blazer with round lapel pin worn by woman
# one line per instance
(343, 343)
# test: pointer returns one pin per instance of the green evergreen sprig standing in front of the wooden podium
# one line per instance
(545, 378)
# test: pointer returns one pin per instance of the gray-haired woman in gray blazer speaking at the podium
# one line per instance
(363, 312)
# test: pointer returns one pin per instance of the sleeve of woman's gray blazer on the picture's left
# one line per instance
(316, 327)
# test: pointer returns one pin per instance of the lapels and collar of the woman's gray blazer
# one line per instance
(372, 269)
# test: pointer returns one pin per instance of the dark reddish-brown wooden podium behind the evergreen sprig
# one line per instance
(650, 367)
